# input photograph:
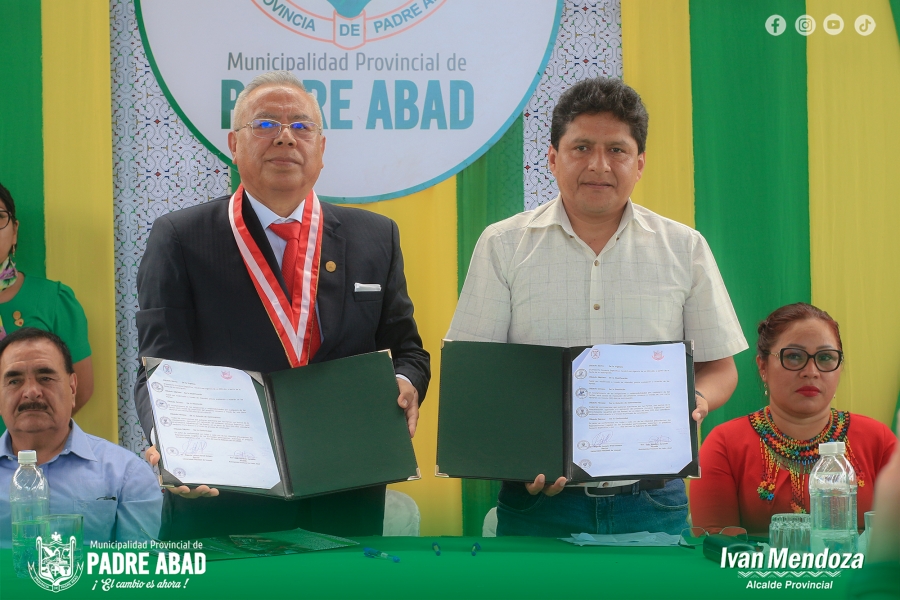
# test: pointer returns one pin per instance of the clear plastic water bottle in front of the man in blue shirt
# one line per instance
(29, 500)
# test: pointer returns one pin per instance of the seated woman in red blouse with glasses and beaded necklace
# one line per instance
(756, 466)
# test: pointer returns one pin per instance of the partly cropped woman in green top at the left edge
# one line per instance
(31, 301)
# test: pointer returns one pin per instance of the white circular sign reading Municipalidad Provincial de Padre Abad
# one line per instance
(411, 91)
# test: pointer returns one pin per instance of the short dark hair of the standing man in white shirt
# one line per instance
(599, 95)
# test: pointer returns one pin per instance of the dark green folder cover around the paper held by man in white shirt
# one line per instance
(505, 413)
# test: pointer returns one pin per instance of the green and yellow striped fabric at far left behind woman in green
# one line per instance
(56, 159)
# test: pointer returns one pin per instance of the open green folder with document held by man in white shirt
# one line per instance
(588, 413)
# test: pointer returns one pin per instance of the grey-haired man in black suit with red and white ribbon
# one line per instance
(218, 284)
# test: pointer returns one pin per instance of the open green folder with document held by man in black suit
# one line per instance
(301, 432)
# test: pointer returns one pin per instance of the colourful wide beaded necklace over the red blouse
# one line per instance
(797, 456)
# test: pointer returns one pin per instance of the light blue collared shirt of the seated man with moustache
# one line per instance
(116, 491)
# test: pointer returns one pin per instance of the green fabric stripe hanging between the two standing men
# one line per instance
(489, 190)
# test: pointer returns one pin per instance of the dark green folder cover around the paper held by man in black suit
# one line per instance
(333, 426)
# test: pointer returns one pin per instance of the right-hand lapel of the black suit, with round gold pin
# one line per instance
(330, 295)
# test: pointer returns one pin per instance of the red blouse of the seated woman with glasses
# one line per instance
(731, 469)
